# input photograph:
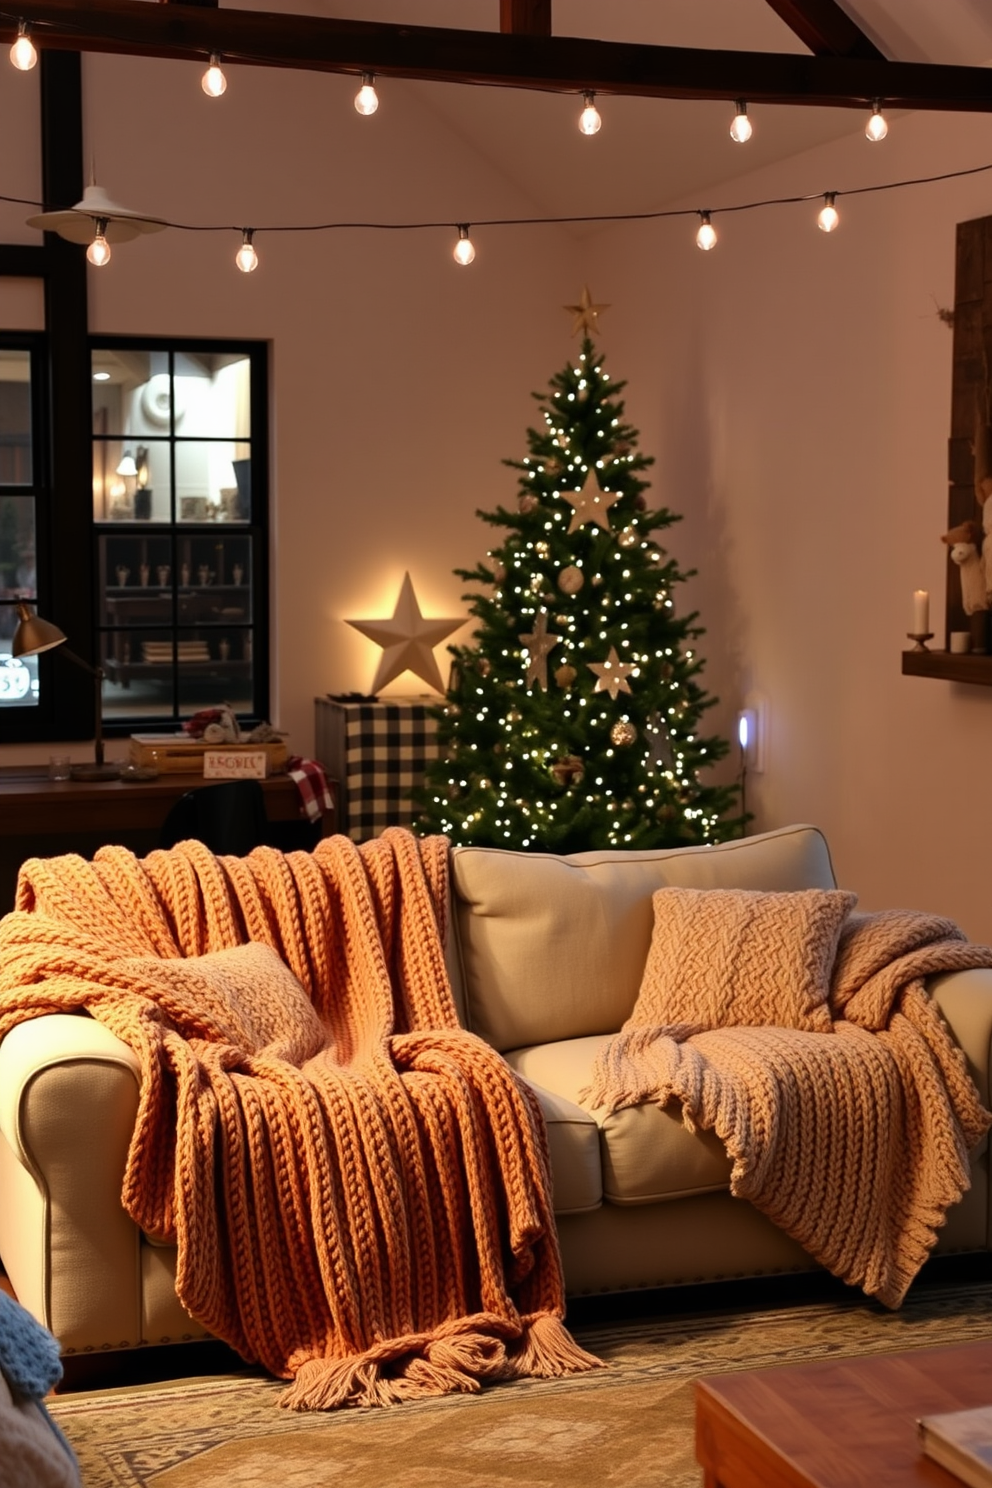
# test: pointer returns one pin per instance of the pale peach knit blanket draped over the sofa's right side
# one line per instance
(854, 1142)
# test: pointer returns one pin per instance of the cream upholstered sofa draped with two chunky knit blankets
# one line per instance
(547, 958)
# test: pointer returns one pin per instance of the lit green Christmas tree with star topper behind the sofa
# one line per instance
(573, 721)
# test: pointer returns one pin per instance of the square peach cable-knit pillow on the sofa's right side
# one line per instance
(731, 958)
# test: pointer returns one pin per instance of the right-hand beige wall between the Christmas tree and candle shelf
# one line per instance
(798, 392)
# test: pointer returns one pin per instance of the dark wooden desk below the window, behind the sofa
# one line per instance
(41, 818)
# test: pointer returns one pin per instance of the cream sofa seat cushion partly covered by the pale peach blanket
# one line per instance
(648, 1155)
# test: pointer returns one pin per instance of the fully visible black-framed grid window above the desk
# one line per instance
(181, 527)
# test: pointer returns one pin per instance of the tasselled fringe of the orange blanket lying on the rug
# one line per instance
(456, 1364)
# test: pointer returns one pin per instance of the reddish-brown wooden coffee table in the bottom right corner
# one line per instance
(846, 1423)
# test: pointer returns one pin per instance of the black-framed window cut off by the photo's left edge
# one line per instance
(25, 522)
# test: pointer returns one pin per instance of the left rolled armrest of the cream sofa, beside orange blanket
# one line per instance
(69, 1097)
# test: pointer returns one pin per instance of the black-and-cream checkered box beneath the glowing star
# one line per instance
(379, 752)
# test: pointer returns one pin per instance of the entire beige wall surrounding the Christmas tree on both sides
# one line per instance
(795, 391)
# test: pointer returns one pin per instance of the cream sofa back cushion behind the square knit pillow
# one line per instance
(554, 949)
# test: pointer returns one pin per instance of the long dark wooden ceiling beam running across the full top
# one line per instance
(489, 59)
